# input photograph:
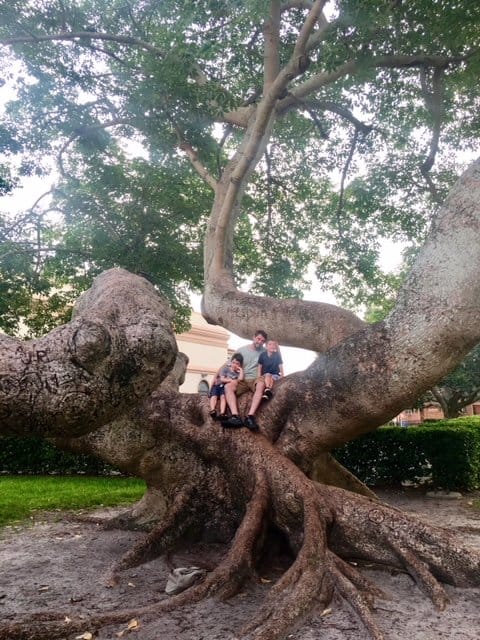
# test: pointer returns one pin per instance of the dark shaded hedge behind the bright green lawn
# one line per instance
(37, 456)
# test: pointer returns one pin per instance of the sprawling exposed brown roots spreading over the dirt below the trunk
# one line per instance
(325, 527)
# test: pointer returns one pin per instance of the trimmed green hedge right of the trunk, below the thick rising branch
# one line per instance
(444, 454)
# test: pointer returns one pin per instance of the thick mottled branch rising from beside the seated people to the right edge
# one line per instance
(374, 374)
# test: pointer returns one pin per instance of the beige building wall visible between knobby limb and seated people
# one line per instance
(206, 346)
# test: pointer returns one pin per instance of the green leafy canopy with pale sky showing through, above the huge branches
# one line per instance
(121, 103)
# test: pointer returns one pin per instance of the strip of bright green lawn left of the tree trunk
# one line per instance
(22, 496)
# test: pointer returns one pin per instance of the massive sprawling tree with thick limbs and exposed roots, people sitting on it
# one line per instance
(266, 71)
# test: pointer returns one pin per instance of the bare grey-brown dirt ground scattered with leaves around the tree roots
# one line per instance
(56, 566)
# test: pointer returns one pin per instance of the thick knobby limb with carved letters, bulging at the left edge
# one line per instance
(117, 348)
